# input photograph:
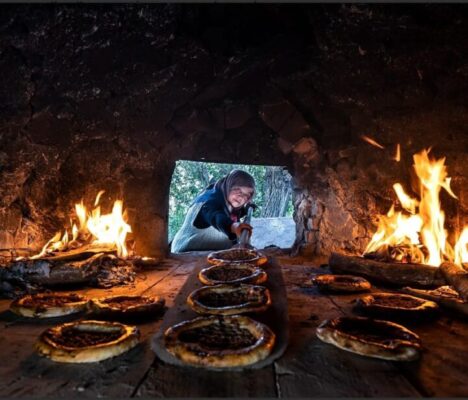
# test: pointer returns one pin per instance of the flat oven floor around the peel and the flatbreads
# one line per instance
(309, 368)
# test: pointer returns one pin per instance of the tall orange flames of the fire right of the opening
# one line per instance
(419, 235)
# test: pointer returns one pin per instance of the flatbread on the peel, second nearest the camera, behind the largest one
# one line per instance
(229, 299)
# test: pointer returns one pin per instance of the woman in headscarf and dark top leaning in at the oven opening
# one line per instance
(213, 219)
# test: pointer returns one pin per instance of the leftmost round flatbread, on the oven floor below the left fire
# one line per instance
(47, 305)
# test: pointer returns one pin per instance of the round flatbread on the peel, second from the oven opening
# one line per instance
(232, 274)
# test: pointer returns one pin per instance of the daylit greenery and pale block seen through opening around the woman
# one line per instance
(272, 220)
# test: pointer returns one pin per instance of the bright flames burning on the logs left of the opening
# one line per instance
(93, 228)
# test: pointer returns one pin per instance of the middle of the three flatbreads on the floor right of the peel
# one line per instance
(395, 305)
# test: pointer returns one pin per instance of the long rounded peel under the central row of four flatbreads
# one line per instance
(275, 317)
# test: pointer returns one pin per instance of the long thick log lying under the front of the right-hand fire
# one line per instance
(387, 272)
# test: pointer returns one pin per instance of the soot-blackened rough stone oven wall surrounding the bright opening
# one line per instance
(110, 96)
